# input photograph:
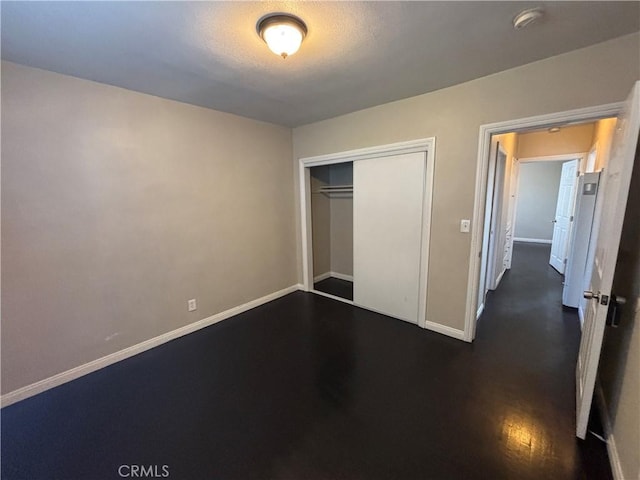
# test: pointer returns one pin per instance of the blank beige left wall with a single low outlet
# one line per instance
(118, 207)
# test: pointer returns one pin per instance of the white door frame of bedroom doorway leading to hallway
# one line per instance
(580, 115)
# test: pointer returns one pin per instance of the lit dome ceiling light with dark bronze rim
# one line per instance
(283, 33)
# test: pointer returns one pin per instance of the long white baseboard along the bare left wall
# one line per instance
(72, 374)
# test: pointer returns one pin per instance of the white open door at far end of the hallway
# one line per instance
(564, 215)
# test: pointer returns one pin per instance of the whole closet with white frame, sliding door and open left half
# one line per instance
(365, 227)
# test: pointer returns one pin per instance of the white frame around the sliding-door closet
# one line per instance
(426, 145)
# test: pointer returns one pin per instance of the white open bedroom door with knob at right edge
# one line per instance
(611, 205)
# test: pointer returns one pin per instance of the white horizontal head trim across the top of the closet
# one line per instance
(412, 146)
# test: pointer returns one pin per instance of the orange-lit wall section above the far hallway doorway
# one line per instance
(574, 139)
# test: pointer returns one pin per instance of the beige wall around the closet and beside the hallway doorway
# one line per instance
(453, 115)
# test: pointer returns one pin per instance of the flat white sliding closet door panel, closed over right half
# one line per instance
(388, 198)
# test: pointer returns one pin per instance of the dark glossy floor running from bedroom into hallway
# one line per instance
(306, 387)
